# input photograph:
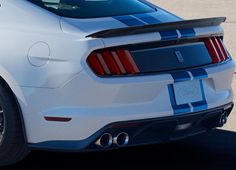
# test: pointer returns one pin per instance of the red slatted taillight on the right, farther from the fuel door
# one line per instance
(216, 49)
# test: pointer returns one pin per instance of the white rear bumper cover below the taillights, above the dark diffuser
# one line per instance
(92, 102)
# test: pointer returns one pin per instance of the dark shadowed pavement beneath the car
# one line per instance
(213, 151)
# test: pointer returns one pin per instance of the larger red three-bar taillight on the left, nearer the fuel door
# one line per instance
(112, 62)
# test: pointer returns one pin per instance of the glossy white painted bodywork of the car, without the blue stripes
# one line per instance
(43, 59)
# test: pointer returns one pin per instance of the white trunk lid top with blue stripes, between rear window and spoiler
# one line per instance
(93, 25)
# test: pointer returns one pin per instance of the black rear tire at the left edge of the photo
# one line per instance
(13, 147)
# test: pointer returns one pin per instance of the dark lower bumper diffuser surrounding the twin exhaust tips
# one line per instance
(150, 131)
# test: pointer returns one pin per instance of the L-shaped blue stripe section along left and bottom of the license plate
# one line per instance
(178, 109)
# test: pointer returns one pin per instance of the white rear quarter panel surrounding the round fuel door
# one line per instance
(28, 25)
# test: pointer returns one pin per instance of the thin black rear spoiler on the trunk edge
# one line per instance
(185, 24)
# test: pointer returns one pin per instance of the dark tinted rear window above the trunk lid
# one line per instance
(93, 8)
